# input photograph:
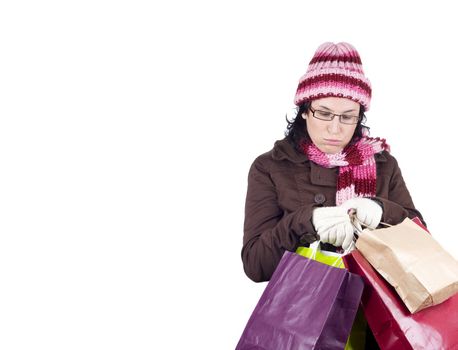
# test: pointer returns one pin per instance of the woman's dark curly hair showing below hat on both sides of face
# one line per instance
(296, 130)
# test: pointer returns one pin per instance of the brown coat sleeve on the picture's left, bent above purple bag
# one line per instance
(268, 232)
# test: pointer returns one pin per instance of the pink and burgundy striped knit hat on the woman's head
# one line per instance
(335, 70)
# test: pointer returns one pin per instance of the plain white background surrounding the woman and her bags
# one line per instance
(127, 131)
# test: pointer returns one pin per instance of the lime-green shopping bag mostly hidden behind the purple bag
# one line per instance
(357, 338)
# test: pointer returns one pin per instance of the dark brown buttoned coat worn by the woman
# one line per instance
(283, 189)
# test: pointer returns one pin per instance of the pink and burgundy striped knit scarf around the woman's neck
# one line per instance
(356, 162)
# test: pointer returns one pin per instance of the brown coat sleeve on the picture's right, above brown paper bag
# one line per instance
(399, 204)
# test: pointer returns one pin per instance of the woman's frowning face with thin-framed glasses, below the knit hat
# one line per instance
(331, 136)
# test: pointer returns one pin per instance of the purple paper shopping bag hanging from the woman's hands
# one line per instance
(306, 305)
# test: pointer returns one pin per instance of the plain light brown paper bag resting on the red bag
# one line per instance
(420, 270)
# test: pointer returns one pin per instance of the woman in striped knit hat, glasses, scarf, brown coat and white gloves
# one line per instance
(302, 189)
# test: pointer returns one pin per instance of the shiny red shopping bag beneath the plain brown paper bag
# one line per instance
(393, 326)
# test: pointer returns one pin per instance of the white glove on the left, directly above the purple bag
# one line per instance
(334, 226)
